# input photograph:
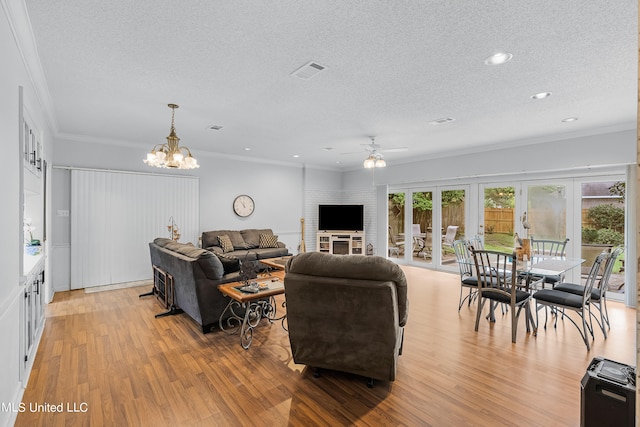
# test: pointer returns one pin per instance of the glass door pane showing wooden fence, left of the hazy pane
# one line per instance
(499, 218)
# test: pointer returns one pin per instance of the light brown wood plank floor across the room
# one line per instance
(107, 350)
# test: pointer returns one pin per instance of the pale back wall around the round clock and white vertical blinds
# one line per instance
(278, 190)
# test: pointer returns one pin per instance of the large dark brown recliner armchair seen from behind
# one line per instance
(346, 313)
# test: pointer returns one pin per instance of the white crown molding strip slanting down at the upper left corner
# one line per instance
(20, 24)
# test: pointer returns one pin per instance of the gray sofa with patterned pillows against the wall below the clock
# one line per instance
(246, 244)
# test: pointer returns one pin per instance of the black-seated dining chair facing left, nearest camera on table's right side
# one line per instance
(581, 304)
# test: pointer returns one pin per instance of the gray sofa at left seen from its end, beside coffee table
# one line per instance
(196, 274)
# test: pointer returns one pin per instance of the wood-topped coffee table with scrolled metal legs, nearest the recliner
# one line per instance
(247, 308)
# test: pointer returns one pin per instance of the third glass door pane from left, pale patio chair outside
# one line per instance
(452, 213)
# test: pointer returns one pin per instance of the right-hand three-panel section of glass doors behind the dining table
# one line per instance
(588, 211)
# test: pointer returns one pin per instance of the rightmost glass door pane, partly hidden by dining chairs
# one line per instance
(602, 227)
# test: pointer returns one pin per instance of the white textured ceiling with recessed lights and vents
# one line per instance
(111, 68)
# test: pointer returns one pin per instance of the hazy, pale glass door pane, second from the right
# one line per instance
(547, 212)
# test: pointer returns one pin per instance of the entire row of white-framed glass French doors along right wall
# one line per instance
(590, 211)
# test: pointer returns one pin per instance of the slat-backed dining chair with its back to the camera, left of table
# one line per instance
(497, 282)
